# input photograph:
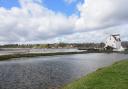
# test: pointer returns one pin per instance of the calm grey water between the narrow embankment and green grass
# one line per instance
(48, 72)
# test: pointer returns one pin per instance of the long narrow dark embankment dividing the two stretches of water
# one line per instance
(20, 55)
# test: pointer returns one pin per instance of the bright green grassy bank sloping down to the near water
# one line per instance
(112, 77)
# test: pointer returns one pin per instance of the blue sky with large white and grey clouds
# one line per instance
(50, 21)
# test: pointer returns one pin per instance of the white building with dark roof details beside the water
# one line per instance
(114, 42)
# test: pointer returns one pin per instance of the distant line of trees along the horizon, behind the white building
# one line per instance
(60, 45)
